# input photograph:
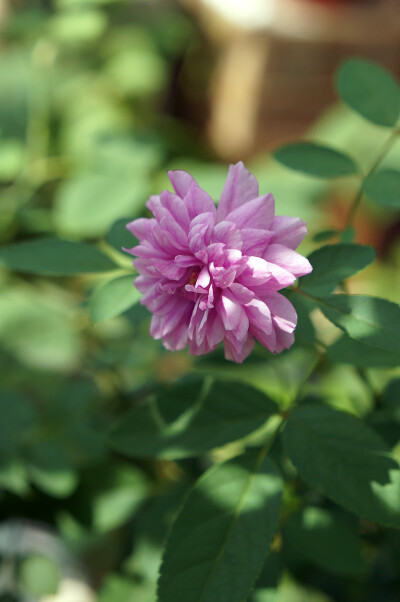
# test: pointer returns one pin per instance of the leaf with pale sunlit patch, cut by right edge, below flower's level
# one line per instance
(369, 320)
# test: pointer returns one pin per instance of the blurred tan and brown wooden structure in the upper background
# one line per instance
(276, 61)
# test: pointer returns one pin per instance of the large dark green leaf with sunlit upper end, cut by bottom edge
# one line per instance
(223, 533)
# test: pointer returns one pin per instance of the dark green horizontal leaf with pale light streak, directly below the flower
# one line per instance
(190, 419)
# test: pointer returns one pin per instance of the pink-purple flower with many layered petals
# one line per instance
(212, 275)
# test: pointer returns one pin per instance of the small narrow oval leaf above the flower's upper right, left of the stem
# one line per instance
(316, 160)
